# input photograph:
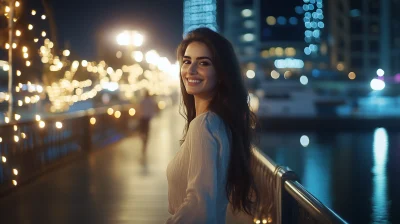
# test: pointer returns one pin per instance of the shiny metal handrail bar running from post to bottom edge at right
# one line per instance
(316, 208)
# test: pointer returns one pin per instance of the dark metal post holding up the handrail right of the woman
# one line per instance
(288, 215)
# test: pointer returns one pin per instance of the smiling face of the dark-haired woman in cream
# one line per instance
(198, 71)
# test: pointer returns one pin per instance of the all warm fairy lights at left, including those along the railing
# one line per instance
(160, 78)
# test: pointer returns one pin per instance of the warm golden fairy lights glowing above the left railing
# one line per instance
(159, 77)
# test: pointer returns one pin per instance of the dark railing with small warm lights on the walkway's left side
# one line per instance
(29, 148)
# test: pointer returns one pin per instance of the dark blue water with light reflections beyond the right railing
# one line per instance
(355, 174)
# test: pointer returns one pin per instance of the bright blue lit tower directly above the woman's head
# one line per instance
(199, 13)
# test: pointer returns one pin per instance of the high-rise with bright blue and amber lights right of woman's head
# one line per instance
(279, 38)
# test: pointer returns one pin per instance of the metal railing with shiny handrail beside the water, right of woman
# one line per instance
(284, 199)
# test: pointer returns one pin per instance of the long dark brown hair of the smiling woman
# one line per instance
(230, 102)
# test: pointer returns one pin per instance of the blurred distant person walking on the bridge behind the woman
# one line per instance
(148, 109)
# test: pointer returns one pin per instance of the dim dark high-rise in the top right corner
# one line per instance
(372, 30)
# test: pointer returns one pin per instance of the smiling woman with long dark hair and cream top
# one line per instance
(212, 167)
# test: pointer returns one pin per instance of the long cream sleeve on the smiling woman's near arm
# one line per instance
(200, 203)
